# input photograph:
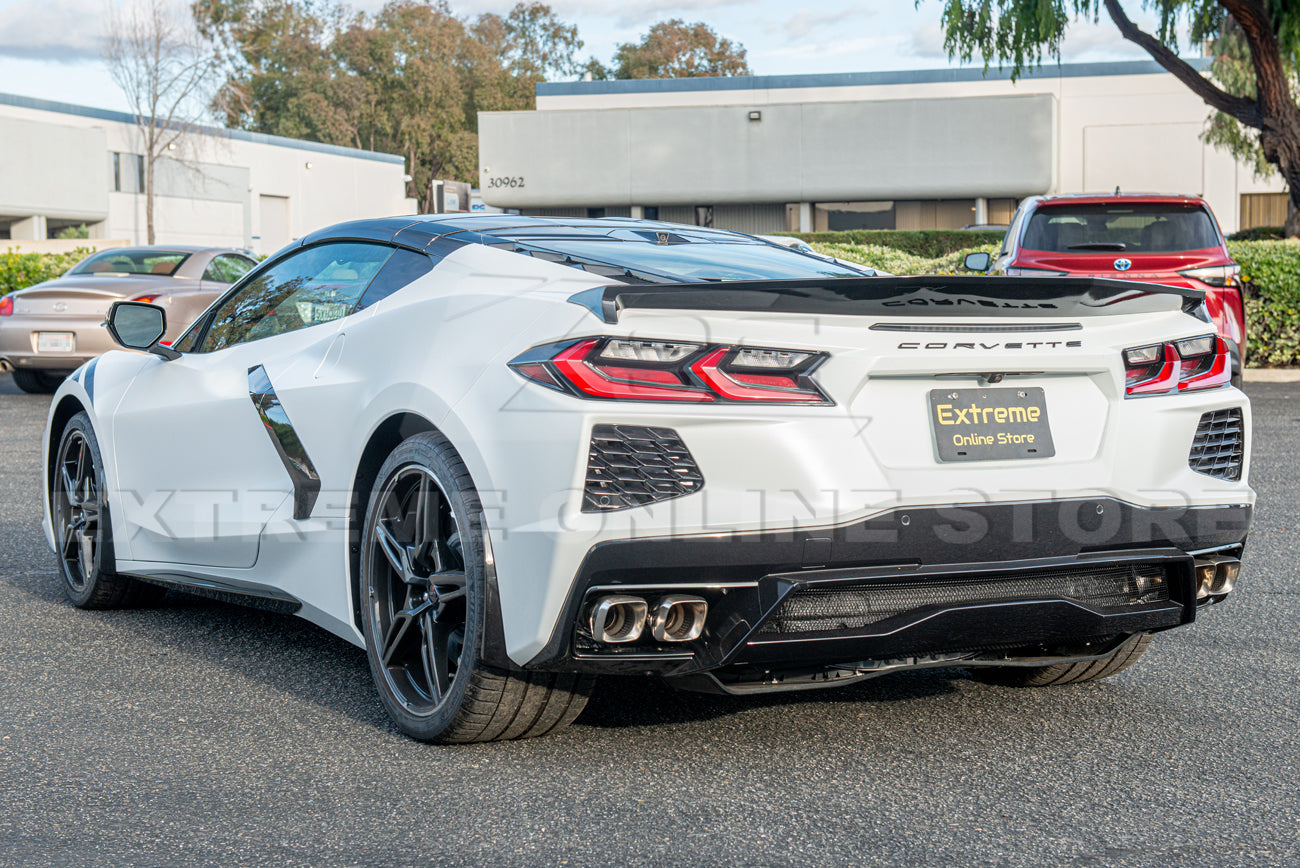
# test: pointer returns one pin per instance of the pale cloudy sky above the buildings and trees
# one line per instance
(50, 49)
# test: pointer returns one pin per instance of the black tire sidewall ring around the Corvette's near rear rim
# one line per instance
(435, 454)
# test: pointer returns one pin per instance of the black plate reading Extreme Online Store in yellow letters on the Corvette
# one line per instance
(990, 424)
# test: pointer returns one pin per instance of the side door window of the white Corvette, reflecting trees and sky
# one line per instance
(313, 287)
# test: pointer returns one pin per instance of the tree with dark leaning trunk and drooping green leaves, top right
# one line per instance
(1264, 101)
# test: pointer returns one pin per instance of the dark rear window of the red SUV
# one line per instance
(1121, 228)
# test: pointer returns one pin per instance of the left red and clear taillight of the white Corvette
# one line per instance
(674, 371)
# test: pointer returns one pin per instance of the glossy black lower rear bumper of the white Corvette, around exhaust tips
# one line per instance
(749, 579)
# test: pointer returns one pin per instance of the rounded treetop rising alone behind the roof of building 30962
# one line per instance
(675, 50)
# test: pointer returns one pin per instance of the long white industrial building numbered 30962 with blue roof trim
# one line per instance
(907, 150)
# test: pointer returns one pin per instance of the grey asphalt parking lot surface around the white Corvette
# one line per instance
(202, 734)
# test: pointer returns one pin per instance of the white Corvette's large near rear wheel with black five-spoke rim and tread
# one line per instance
(424, 610)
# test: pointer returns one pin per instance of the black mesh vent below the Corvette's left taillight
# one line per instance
(631, 466)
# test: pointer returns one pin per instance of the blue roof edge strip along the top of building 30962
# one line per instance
(852, 80)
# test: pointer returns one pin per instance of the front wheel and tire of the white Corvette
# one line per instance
(84, 533)
